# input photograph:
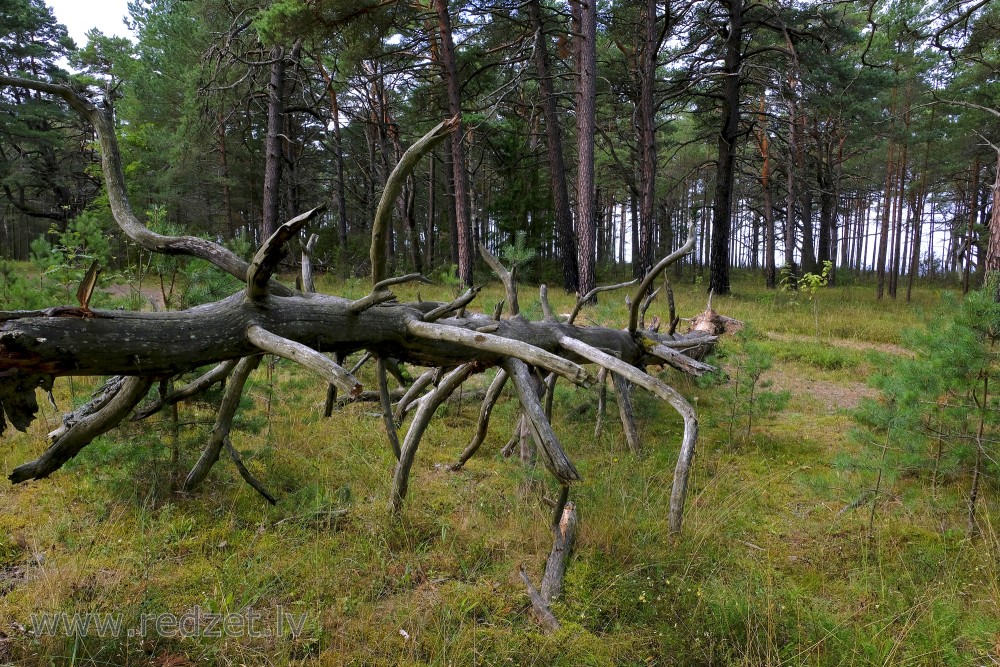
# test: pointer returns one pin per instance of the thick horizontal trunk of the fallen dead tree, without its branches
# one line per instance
(166, 343)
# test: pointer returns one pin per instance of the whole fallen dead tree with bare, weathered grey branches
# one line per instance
(138, 349)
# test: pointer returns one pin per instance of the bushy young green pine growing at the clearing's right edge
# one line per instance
(938, 413)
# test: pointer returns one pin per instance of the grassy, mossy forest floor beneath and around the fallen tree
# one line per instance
(771, 568)
